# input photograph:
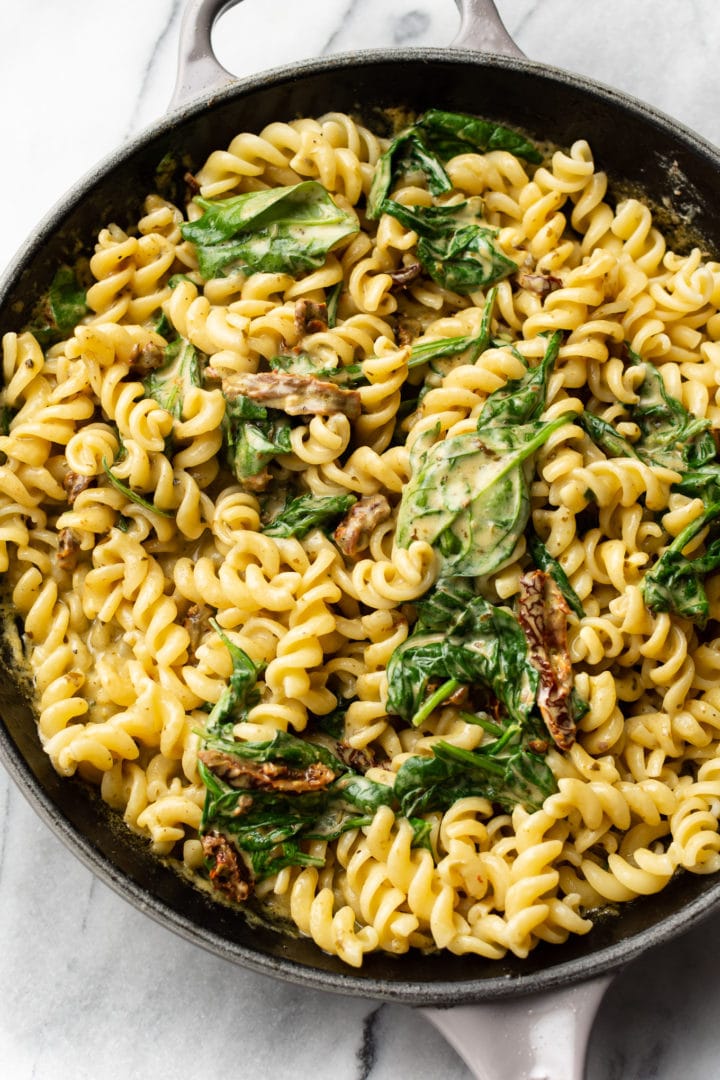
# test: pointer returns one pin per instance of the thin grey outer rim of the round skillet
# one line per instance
(346, 981)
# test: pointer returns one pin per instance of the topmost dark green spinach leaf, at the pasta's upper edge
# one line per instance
(449, 134)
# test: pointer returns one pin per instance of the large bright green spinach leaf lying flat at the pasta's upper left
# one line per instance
(280, 231)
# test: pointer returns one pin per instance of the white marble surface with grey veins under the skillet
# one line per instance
(89, 987)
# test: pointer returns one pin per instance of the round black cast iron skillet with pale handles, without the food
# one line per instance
(643, 152)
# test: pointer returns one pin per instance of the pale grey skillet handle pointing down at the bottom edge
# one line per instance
(534, 1038)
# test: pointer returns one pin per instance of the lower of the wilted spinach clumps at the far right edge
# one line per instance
(676, 583)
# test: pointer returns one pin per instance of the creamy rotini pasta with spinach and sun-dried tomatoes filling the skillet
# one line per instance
(193, 652)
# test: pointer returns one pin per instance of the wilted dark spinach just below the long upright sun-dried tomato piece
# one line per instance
(515, 775)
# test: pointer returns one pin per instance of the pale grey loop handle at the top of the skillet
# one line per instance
(199, 71)
